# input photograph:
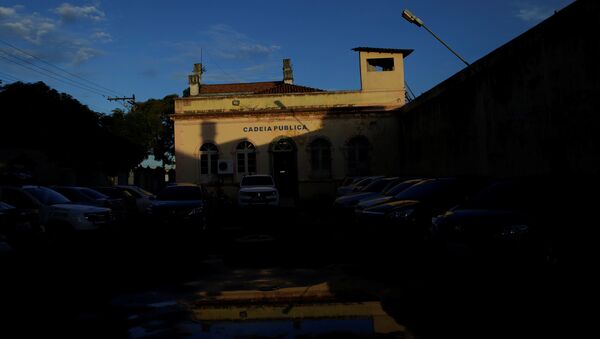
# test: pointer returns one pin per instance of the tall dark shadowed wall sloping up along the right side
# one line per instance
(530, 107)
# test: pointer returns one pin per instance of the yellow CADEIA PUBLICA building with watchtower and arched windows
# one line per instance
(307, 138)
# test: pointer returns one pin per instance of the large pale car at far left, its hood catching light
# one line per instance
(57, 214)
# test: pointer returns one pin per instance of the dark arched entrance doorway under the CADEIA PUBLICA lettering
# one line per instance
(285, 167)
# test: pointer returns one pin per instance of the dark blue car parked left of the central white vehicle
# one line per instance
(180, 206)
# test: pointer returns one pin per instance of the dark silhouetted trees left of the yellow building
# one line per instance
(38, 118)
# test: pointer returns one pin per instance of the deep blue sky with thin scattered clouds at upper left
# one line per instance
(147, 48)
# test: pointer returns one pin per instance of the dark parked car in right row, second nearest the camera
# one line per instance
(415, 206)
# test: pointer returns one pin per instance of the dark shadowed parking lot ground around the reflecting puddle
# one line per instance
(148, 284)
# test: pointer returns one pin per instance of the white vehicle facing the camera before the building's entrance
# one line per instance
(258, 190)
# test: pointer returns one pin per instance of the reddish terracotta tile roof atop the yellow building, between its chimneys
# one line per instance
(256, 88)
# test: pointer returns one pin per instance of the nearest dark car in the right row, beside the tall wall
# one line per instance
(509, 218)
